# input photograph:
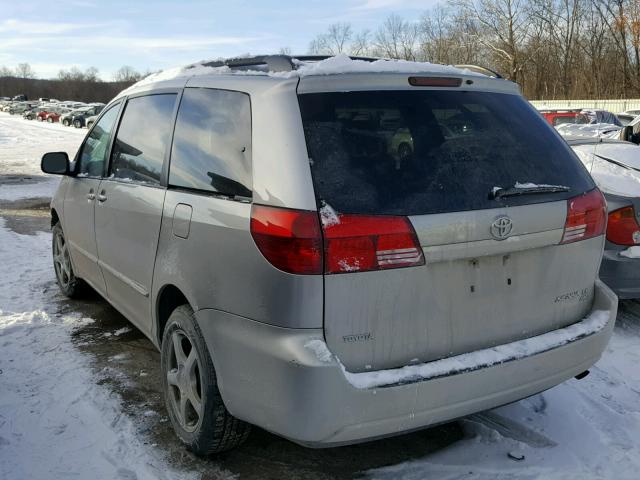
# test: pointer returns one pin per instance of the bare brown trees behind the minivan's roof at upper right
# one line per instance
(555, 49)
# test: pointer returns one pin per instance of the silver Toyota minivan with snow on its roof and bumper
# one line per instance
(336, 250)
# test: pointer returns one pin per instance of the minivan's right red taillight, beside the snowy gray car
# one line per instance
(586, 217)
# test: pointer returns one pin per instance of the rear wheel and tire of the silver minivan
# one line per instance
(190, 388)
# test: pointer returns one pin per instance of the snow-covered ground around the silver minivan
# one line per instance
(58, 422)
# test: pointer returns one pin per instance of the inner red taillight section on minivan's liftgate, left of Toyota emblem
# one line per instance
(356, 243)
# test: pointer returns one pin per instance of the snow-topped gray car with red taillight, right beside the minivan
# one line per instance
(615, 167)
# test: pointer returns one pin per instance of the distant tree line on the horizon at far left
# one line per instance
(72, 84)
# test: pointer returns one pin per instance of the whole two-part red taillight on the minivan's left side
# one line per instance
(292, 241)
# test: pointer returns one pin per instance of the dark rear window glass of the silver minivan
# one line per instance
(421, 152)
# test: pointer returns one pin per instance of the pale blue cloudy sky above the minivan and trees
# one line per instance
(54, 35)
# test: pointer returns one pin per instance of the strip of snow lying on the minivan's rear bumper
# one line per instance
(593, 323)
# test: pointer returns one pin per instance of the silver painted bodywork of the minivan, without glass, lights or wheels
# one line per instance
(256, 319)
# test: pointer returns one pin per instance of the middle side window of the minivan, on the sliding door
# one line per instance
(143, 138)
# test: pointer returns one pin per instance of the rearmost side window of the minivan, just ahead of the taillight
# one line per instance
(212, 142)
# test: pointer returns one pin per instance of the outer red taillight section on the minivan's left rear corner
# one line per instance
(290, 240)
